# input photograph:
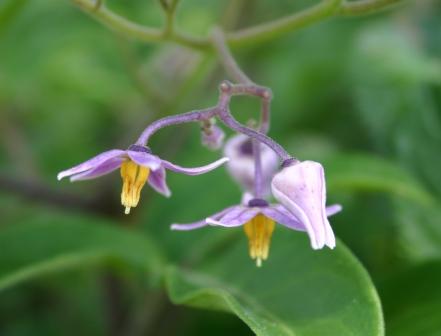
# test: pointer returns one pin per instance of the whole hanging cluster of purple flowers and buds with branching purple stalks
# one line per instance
(252, 159)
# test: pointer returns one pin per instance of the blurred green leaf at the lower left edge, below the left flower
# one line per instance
(55, 243)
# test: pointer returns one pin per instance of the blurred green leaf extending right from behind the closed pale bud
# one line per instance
(358, 172)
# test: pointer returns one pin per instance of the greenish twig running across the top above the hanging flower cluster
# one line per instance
(257, 34)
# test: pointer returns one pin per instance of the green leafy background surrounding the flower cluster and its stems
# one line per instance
(362, 95)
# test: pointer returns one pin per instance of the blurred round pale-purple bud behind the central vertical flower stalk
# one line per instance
(239, 149)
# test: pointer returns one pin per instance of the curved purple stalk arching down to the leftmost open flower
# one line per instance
(192, 116)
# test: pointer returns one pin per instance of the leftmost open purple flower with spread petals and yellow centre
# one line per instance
(137, 166)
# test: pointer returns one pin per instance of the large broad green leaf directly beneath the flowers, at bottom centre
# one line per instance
(297, 291)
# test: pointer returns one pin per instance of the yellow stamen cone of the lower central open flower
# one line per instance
(259, 231)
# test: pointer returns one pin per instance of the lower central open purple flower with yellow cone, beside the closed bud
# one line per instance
(258, 219)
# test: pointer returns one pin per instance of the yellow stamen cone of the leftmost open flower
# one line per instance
(134, 177)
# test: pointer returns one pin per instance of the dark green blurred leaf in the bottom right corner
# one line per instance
(412, 301)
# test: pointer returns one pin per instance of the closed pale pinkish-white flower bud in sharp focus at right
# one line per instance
(301, 189)
